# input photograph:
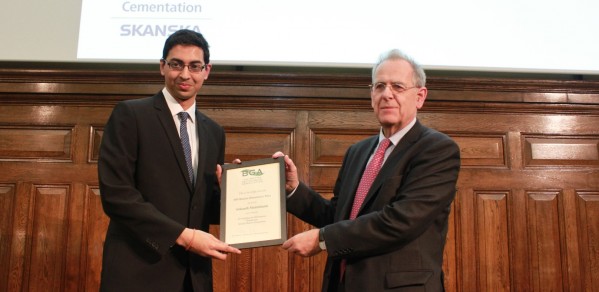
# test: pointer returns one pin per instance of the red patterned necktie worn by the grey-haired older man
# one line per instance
(372, 169)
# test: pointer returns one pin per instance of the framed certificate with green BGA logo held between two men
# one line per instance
(253, 210)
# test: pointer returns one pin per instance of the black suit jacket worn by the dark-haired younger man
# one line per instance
(146, 192)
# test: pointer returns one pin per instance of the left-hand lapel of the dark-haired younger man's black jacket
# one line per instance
(164, 115)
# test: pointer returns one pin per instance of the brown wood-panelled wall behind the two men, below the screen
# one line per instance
(525, 218)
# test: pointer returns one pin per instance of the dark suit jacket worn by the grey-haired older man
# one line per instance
(397, 241)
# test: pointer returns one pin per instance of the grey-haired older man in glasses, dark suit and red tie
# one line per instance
(385, 227)
